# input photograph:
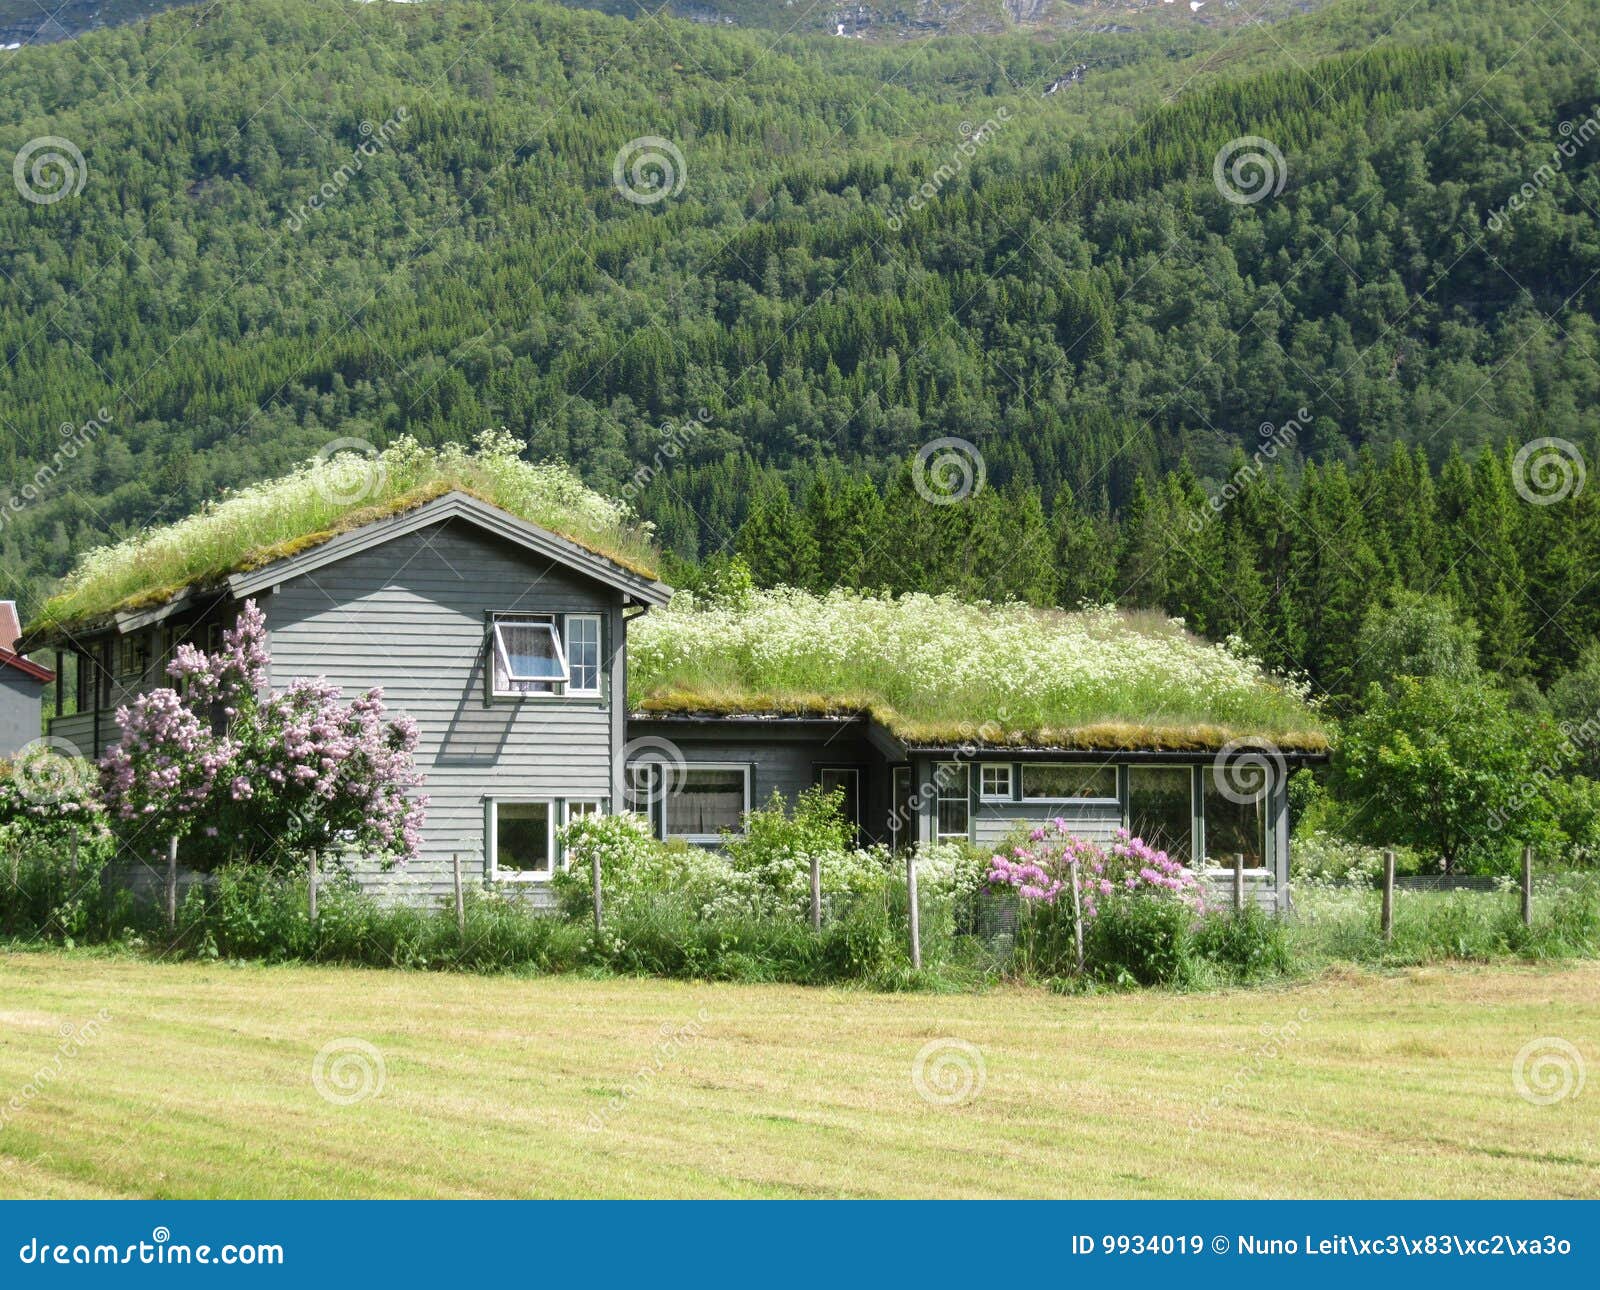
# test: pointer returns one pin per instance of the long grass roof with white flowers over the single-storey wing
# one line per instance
(940, 671)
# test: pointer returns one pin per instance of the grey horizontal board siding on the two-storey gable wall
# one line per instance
(410, 617)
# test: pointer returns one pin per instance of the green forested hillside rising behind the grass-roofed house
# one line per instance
(306, 222)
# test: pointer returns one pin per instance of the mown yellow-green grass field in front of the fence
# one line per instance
(204, 1081)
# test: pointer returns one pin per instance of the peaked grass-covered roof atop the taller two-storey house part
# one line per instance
(334, 495)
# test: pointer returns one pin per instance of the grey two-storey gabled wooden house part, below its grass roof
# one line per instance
(502, 639)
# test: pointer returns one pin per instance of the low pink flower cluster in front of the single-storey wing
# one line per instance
(1042, 870)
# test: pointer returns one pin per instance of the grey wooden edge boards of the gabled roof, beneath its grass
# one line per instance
(338, 547)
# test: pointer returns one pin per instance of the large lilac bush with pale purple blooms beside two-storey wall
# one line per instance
(250, 775)
